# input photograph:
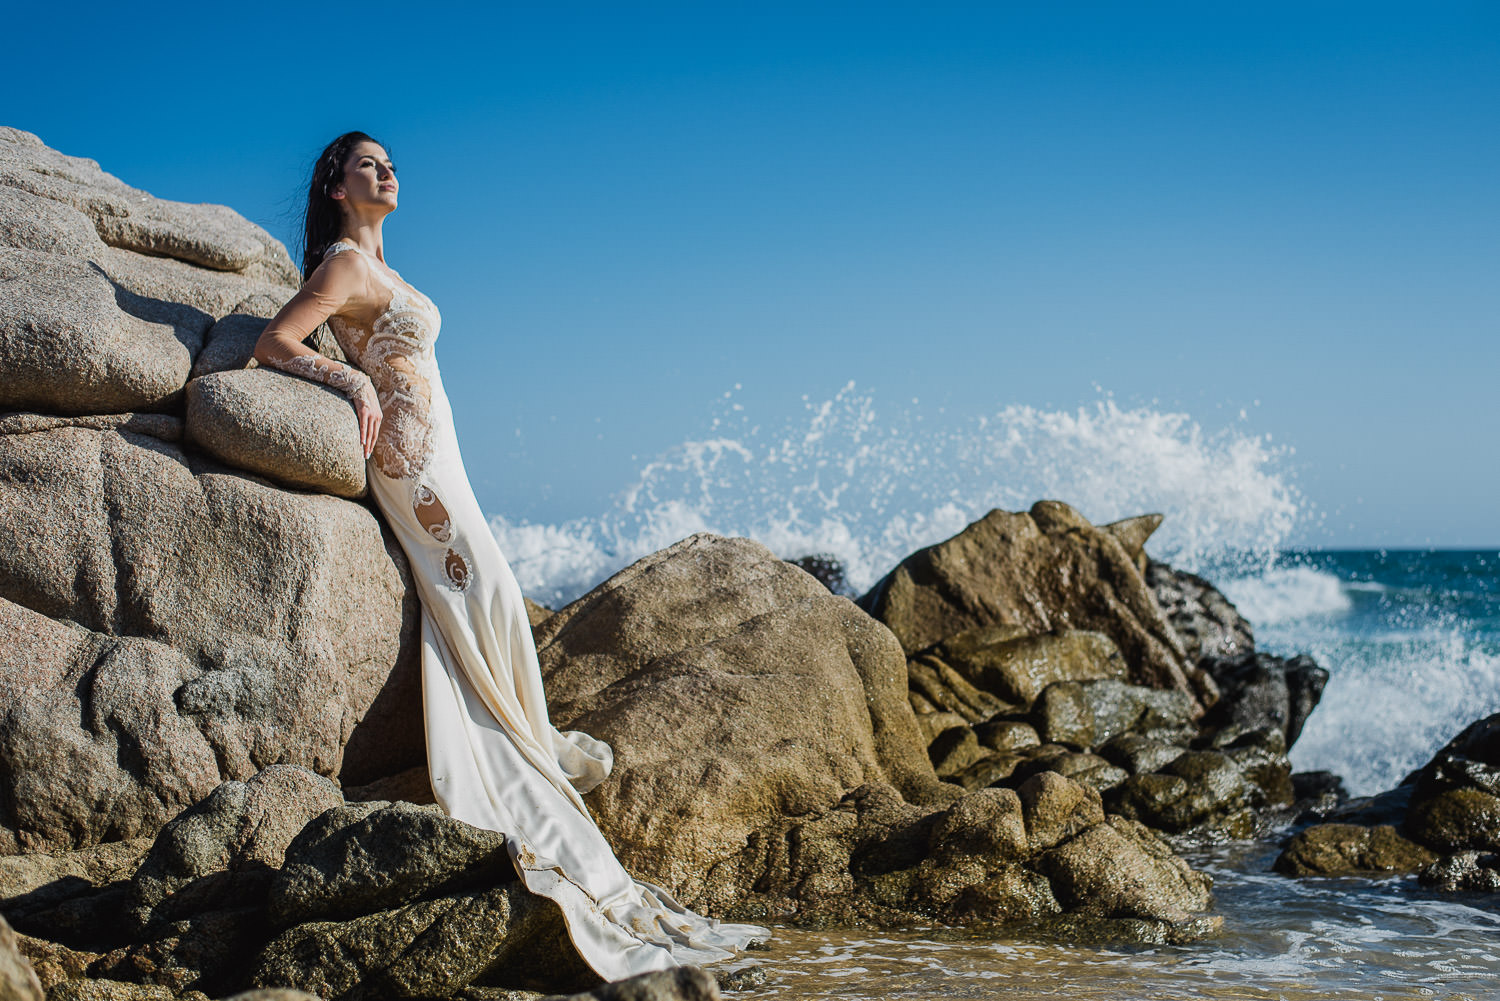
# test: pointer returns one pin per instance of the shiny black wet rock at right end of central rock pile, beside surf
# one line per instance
(1259, 691)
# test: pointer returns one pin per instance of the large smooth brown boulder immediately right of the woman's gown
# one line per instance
(737, 691)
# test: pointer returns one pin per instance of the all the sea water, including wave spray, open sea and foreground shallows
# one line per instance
(1411, 640)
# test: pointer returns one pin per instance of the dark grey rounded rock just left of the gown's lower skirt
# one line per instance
(376, 856)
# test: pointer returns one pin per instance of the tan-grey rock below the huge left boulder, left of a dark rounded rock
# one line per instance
(227, 847)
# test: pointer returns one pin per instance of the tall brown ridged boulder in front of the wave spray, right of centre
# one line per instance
(1042, 573)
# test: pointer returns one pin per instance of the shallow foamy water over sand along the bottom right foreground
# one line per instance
(1283, 939)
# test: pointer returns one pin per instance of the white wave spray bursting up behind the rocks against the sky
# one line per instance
(869, 488)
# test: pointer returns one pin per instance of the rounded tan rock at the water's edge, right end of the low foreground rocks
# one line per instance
(1121, 870)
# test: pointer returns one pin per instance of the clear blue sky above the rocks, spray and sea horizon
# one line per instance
(626, 211)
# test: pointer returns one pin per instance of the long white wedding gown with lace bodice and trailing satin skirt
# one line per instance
(494, 757)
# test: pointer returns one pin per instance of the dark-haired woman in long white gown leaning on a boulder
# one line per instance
(494, 757)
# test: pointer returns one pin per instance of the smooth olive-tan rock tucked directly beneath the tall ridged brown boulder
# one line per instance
(1016, 666)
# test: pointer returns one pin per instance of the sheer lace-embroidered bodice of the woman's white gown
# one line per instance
(397, 353)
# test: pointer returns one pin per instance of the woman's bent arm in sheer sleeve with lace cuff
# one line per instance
(281, 344)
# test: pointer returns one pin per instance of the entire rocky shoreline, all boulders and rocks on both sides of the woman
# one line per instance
(214, 774)
